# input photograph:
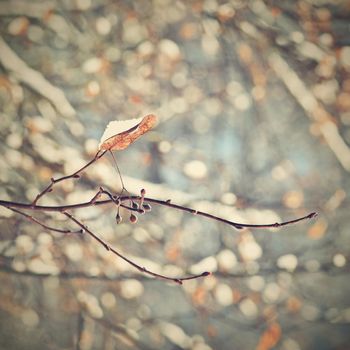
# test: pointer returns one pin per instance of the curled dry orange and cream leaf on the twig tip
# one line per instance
(120, 134)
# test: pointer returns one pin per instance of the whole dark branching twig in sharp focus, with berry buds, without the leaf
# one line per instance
(141, 207)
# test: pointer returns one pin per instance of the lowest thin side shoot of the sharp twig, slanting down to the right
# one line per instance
(138, 267)
